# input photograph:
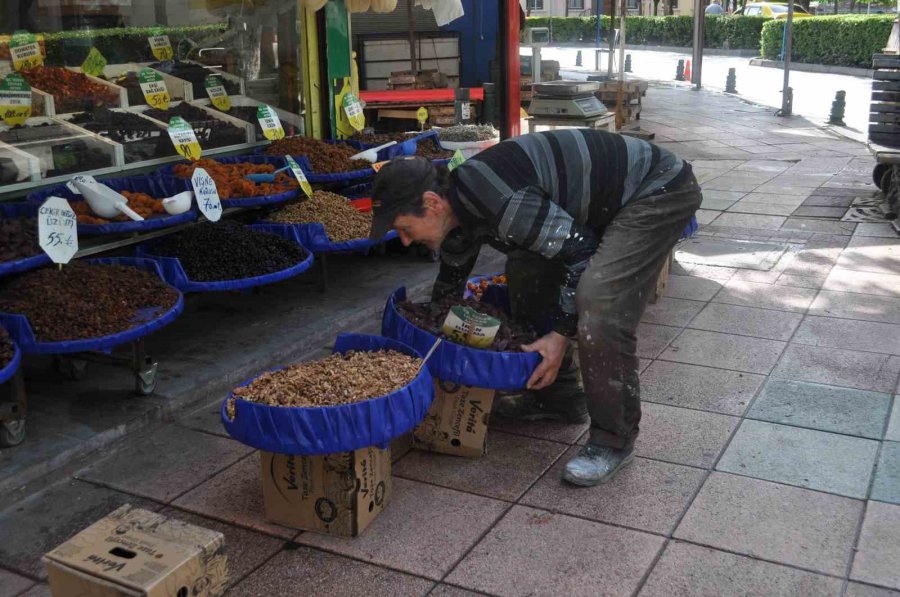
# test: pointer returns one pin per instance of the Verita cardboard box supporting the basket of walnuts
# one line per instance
(338, 494)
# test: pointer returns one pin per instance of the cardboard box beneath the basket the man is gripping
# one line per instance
(457, 421)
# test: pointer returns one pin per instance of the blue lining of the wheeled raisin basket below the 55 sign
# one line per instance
(147, 321)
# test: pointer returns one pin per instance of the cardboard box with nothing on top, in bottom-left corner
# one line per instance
(139, 553)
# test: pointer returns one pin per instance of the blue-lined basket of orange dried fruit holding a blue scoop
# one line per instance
(234, 189)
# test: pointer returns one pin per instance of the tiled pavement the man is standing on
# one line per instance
(769, 460)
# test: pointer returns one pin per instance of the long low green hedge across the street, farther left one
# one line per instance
(721, 32)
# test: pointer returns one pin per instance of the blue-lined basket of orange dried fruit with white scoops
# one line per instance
(144, 194)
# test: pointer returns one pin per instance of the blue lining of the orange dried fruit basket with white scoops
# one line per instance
(159, 188)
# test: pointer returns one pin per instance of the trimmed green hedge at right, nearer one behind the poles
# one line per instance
(845, 40)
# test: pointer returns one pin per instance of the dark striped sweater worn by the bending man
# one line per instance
(551, 193)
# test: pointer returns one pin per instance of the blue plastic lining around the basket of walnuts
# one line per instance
(310, 431)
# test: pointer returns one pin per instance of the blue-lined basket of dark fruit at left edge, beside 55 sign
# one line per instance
(19, 248)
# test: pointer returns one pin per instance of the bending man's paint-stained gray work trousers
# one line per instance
(611, 298)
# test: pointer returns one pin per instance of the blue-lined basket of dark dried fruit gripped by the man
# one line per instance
(504, 367)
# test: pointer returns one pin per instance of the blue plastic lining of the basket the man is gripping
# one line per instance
(457, 363)
